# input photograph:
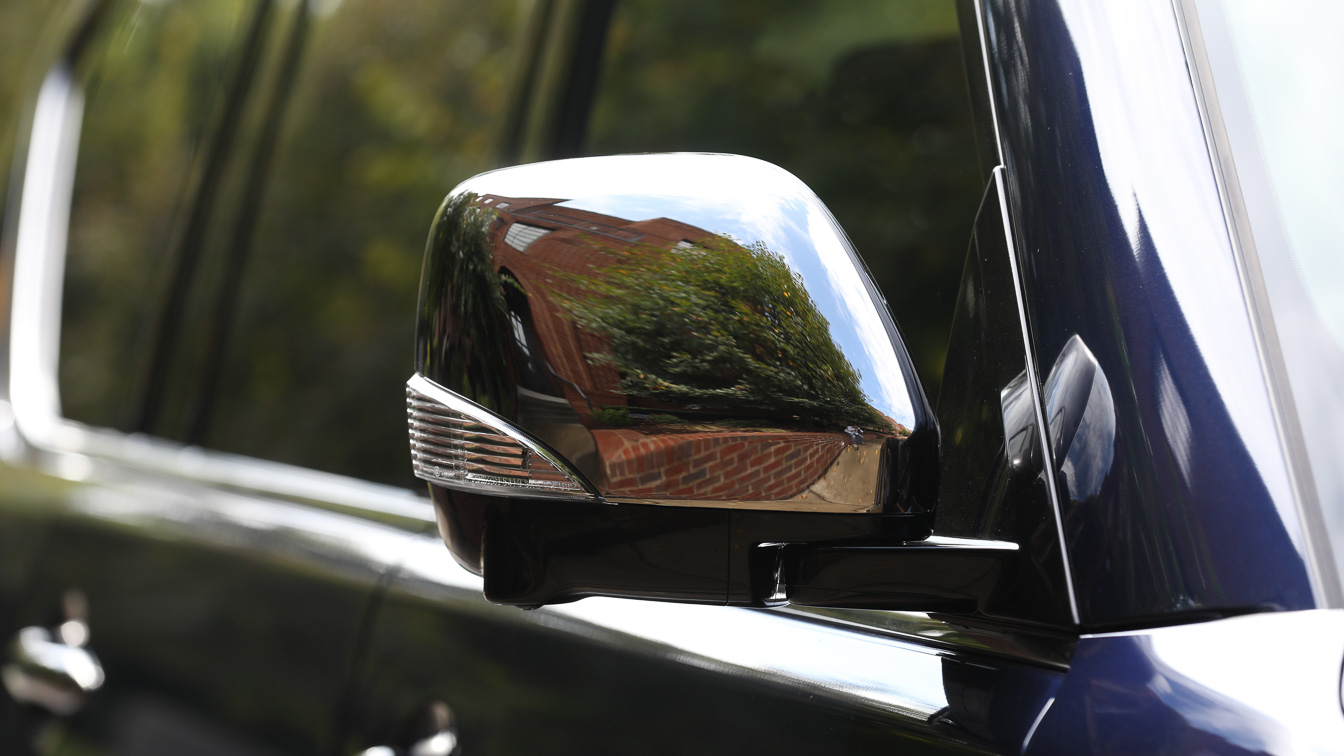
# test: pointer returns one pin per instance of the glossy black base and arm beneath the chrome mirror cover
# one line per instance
(534, 554)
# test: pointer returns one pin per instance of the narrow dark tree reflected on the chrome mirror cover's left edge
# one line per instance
(466, 303)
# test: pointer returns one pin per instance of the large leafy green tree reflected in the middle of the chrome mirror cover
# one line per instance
(720, 326)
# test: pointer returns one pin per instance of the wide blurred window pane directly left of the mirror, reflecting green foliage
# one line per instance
(394, 104)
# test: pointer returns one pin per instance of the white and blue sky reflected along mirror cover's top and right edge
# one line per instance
(764, 204)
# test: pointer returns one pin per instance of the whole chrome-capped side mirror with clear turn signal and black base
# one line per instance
(667, 377)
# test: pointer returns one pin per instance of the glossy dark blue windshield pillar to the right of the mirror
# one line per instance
(1186, 519)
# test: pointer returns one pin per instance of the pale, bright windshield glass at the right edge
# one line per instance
(1276, 72)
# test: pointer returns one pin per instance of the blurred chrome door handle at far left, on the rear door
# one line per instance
(54, 673)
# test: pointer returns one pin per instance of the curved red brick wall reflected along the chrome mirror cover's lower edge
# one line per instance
(718, 465)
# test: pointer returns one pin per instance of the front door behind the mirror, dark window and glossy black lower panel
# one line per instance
(874, 116)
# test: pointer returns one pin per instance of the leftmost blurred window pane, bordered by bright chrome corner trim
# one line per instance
(154, 81)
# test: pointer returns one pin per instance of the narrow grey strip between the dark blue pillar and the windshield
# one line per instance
(1325, 580)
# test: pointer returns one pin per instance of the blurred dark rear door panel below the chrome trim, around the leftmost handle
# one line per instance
(220, 619)
